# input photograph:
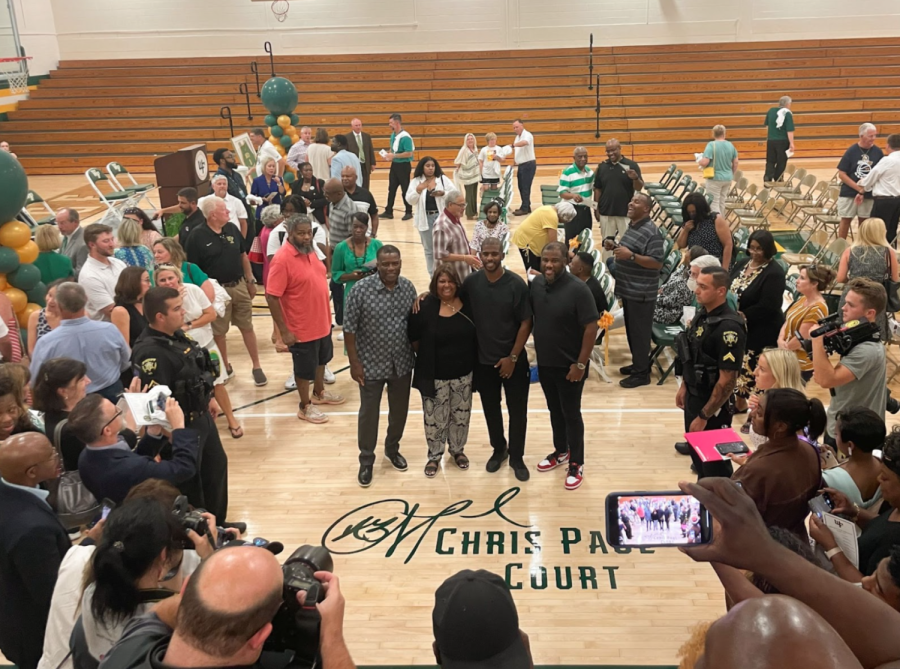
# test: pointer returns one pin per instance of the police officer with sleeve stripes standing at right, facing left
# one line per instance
(711, 353)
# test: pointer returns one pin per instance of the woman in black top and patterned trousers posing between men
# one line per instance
(443, 335)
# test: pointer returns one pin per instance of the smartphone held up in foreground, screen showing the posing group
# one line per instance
(638, 519)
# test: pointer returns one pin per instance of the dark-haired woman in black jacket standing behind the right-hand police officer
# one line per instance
(758, 283)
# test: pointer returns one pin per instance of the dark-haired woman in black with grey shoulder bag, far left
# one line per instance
(61, 383)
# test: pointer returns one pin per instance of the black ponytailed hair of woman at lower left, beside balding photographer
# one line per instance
(133, 540)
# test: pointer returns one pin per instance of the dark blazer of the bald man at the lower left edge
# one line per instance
(32, 546)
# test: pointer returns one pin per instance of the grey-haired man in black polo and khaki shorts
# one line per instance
(217, 249)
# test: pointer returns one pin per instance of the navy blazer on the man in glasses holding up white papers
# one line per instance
(109, 473)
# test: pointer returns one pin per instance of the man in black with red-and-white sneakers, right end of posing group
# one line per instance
(565, 328)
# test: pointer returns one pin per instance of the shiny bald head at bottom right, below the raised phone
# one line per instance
(772, 632)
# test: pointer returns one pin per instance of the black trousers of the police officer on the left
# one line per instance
(209, 488)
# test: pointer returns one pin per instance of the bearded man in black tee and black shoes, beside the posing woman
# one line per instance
(502, 313)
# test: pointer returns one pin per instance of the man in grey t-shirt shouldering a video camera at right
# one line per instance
(860, 378)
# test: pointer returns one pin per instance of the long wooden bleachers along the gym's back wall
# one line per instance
(660, 101)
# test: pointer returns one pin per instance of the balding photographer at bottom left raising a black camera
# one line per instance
(223, 618)
